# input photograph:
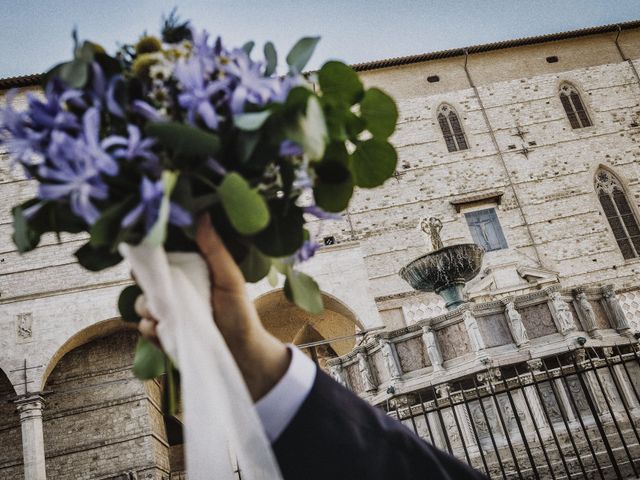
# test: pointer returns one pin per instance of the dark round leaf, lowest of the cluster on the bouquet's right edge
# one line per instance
(334, 186)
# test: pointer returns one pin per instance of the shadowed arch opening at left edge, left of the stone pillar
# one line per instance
(10, 431)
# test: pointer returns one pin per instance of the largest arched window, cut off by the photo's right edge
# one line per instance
(620, 214)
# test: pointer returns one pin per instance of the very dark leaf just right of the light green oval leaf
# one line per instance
(283, 236)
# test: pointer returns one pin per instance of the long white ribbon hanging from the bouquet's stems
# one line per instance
(220, 420)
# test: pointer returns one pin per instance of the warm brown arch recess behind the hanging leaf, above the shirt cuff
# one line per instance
(285, 320)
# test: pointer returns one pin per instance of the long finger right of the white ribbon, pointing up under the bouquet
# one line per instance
(223, 268)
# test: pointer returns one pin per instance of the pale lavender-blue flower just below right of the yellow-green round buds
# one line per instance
(197, 92)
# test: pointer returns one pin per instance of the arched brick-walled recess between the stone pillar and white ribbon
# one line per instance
(97, 415)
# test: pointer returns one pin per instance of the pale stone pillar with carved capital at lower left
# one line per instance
(30, 411)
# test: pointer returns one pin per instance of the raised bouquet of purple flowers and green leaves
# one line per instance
(131, 148)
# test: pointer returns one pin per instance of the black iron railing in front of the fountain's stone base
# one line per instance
(575, 415)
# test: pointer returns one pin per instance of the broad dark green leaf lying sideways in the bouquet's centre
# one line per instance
(187, 143)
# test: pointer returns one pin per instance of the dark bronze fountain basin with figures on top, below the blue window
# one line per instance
(445, 270)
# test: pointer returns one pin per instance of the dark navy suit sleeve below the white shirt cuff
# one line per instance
(336, 435)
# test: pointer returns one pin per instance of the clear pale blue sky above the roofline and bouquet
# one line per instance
(35, 34)
